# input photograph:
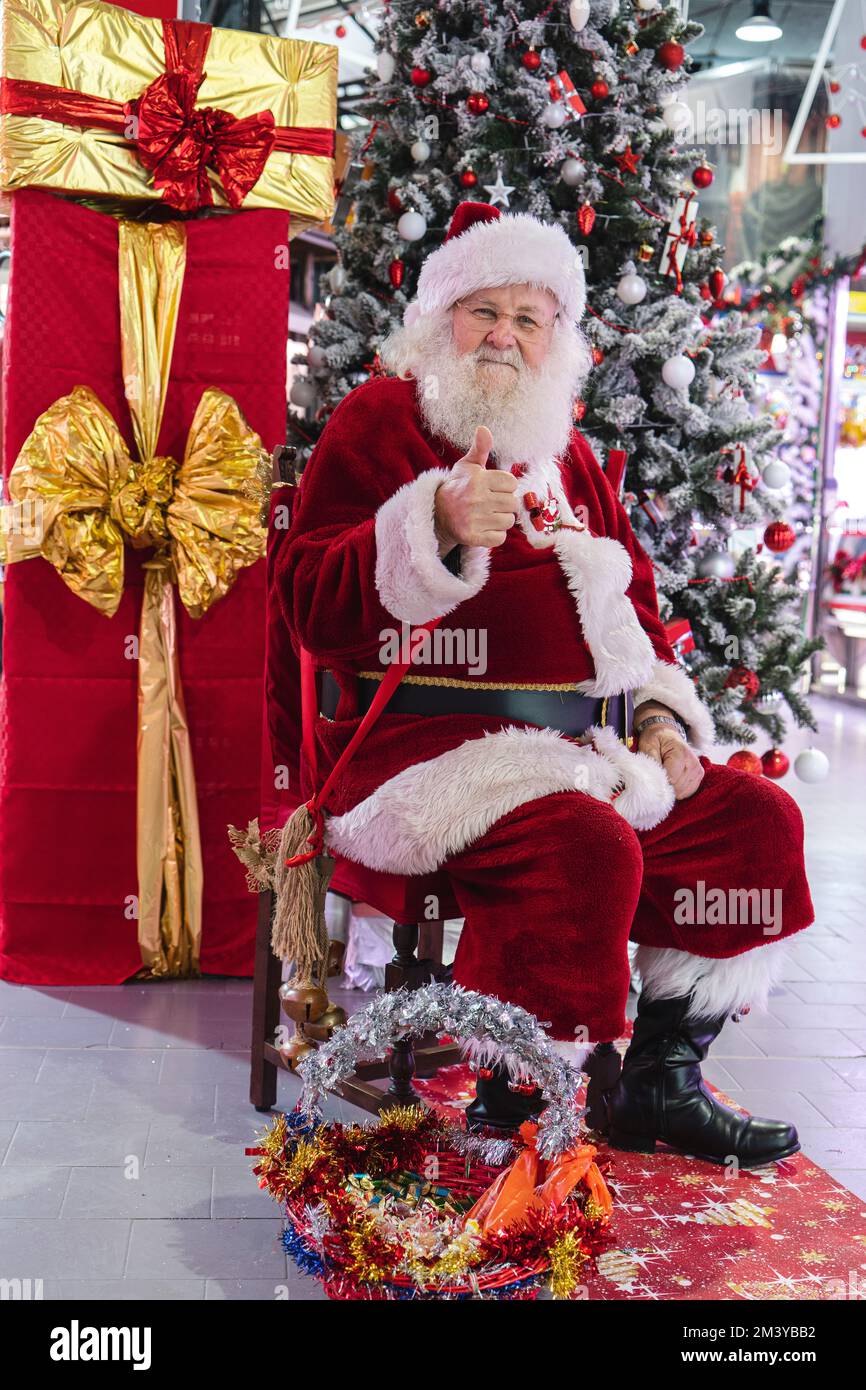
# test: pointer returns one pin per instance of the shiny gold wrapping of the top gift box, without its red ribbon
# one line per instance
(105, 52)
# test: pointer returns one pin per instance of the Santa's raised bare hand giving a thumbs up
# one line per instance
(477, 505)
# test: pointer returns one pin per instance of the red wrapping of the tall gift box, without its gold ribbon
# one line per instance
(69, 692)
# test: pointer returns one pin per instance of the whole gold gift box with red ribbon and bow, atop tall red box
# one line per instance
(162, 130)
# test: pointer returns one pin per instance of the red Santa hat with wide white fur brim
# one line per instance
(486, 250)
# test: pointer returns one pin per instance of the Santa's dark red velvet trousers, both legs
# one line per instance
(554, 892)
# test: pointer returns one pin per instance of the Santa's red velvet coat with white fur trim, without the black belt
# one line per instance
(575, 608)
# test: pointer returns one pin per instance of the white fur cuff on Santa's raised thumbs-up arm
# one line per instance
(412, 582)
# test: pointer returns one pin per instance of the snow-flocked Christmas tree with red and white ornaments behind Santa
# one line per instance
(571, 112)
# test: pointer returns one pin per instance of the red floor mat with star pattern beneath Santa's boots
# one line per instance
(686, 1229)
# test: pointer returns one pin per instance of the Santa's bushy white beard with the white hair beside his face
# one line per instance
(528, 411)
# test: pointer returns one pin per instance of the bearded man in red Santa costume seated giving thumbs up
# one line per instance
(564, 787)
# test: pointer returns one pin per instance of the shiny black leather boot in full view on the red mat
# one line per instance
(662, 1096)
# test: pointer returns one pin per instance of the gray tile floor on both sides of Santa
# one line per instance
(124, 1111)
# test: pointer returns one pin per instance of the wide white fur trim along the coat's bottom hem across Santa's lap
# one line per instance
(434, 810)
